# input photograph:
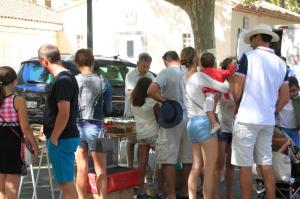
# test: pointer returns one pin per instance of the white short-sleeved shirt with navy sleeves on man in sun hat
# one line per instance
(264, 74)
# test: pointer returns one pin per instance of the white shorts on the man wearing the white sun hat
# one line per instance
(251, 143)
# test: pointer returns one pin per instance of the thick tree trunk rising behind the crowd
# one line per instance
(201, 14)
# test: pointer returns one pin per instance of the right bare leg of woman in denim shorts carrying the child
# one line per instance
(210, 158)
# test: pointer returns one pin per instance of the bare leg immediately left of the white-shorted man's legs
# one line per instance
(229, 173)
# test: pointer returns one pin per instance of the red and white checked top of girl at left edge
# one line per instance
(8, 111)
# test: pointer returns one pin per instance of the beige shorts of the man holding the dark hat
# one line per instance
(173, 145)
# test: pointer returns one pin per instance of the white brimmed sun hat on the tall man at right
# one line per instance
(261, 29)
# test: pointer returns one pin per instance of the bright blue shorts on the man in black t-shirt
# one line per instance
(62, 157)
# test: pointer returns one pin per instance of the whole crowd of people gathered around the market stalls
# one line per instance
(192, 112)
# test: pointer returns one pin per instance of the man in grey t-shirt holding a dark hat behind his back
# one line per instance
(166, 88)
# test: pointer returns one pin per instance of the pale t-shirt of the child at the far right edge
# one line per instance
(287, 116)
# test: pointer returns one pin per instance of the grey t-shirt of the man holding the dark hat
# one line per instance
(170, 81)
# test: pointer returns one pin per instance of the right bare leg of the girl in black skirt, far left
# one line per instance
(12, 183)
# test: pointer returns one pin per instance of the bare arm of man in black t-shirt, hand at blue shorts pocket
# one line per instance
(61, 120)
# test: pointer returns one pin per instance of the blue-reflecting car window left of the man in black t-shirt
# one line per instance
(33, 72)
